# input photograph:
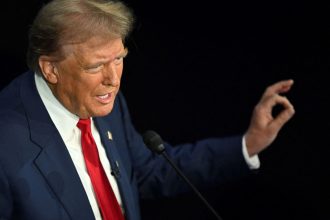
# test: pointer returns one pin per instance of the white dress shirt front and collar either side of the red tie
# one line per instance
(65, 123)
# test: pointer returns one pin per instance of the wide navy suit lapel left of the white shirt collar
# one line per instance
(54, 161)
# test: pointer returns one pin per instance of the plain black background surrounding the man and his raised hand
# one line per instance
(197, 68)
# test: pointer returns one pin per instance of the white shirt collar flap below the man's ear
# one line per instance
(56, 110)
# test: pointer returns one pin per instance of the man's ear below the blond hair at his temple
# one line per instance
(48, 69)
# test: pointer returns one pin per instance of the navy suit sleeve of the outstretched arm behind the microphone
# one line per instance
(206, 163)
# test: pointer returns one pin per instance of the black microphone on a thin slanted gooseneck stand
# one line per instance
(155, 143)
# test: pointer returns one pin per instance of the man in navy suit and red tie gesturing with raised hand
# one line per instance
(51, 116)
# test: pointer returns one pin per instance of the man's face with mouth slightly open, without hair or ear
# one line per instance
(88, 79)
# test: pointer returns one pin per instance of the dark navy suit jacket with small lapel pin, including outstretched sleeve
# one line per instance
(38, 180)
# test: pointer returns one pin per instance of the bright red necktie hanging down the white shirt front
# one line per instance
(105, 196)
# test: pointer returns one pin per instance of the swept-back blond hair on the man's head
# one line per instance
(62, 22)
